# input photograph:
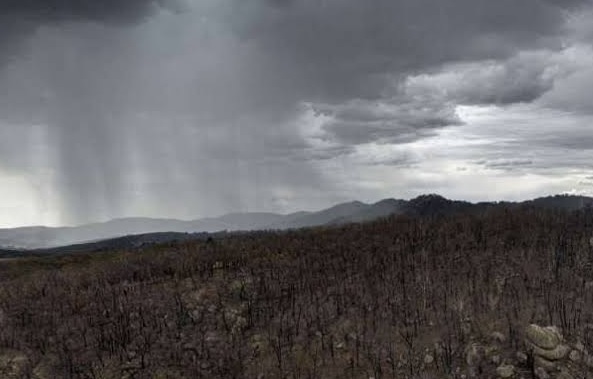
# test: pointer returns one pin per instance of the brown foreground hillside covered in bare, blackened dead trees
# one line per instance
(445, 297)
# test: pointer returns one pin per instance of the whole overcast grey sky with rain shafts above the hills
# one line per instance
(193, 108)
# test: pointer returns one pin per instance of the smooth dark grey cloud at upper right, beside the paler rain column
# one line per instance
(347, 48)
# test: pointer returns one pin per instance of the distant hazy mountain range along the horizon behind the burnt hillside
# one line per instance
(161, 230)
